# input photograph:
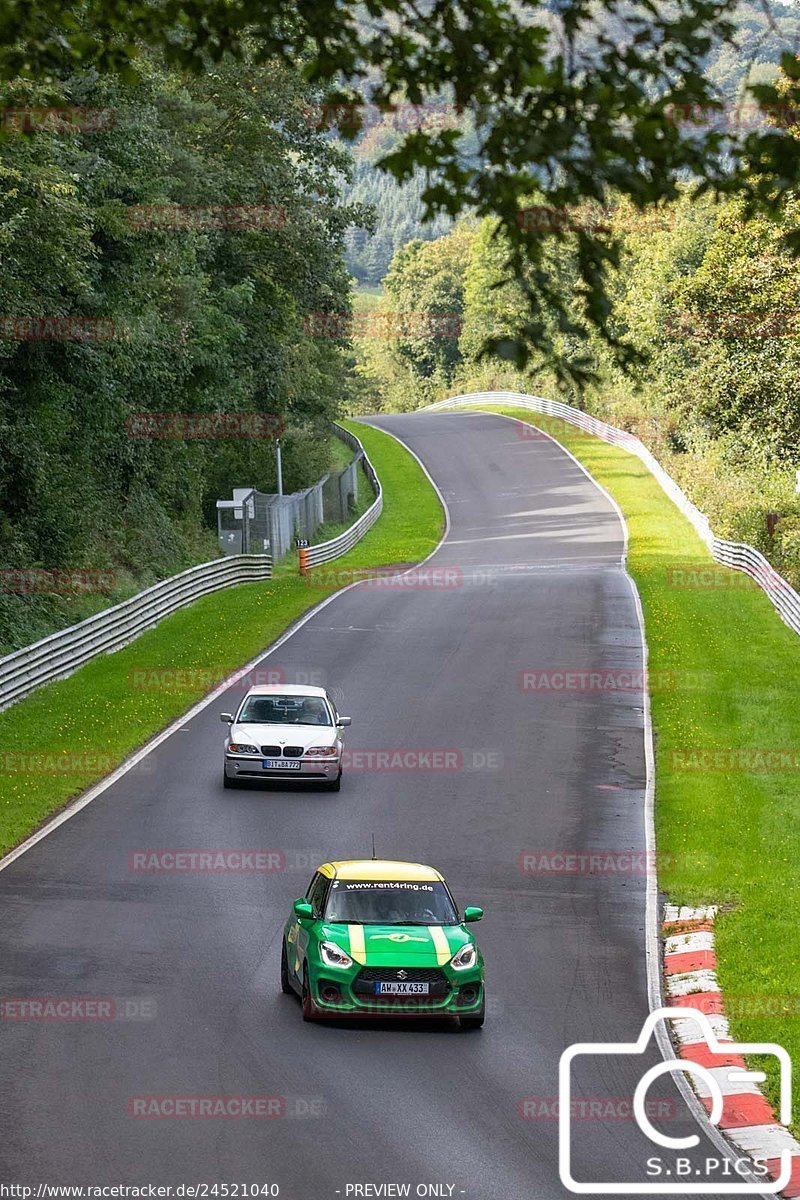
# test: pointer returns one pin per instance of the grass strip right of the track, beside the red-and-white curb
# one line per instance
(725, 674)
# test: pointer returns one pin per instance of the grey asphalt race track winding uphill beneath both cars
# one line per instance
(536, 583)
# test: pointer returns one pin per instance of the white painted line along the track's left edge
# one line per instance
(134, 760)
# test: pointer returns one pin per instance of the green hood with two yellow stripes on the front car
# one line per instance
(378, 946)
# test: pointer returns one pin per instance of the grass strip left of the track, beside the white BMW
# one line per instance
(116, 704)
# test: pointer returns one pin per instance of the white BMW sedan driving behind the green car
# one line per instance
(285, 733)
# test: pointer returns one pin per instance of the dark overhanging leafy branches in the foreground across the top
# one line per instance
(564, 105)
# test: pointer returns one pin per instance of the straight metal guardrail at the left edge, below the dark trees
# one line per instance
(59, 655)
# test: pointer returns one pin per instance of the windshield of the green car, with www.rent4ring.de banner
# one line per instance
(390, 903)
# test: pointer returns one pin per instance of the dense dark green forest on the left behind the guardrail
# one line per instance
(163, 248)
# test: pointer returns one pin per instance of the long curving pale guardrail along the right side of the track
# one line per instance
(736, 555)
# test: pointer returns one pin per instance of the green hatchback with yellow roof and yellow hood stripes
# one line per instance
(383, 939)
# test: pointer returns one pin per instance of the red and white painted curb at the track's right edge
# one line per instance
(748, 1121)
